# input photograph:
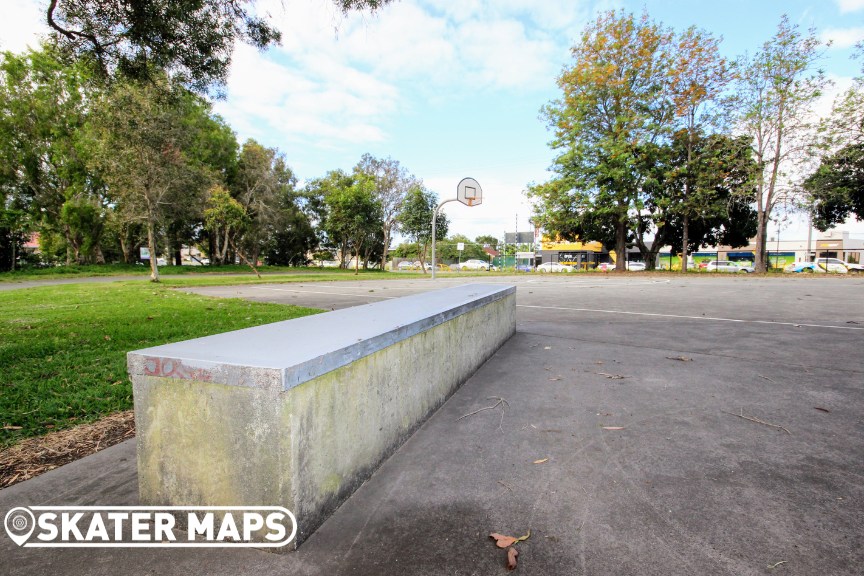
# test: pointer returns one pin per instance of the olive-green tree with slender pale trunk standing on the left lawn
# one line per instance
(144, 146)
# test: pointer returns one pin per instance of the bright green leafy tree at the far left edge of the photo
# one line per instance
(43, 152)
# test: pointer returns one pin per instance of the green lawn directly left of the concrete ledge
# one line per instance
(63, 348)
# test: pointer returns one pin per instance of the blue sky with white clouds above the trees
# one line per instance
(454, 88)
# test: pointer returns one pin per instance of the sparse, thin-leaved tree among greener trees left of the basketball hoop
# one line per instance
(392, 183)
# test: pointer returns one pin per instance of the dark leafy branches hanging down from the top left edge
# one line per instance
(193, 38)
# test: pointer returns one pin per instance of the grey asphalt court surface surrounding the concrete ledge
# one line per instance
(686, 486)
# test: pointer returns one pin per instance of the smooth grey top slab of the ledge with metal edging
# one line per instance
(285, 354)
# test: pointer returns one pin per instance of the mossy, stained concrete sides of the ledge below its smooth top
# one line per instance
(309, 447)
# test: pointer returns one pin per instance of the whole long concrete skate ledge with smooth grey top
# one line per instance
(300, 413)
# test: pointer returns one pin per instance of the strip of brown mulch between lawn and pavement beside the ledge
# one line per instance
(34, 456)
